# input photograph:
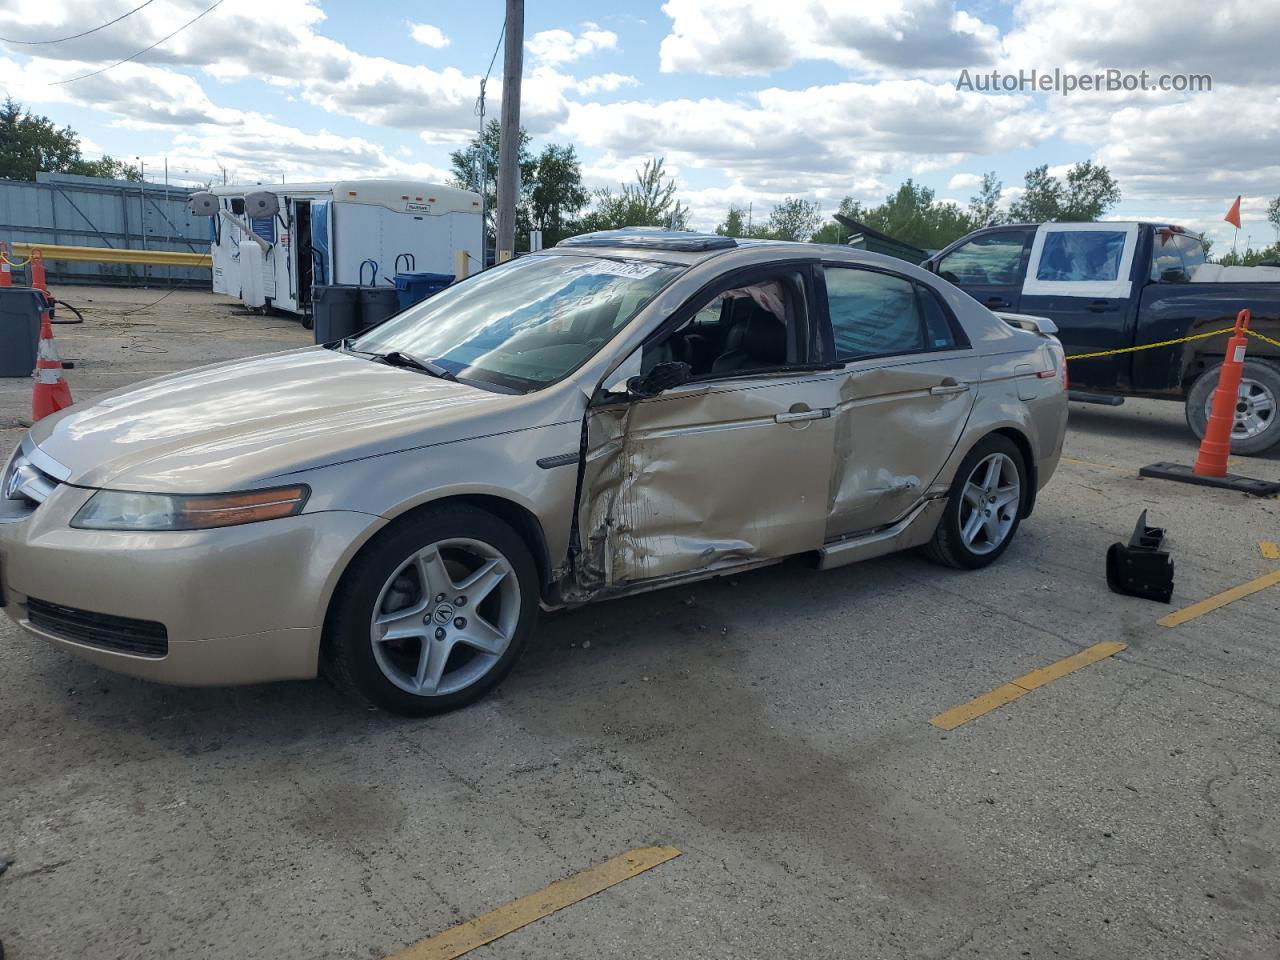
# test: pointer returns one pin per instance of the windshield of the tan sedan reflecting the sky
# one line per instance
(525, 324)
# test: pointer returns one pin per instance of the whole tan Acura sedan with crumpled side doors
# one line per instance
(627, 412)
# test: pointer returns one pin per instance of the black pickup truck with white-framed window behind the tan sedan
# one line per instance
(1126, 285)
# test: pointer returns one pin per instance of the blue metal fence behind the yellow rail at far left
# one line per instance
(90, 212)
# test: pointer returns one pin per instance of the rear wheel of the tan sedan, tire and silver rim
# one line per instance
(984, 508)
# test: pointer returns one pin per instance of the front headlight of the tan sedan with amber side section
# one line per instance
(124, 510)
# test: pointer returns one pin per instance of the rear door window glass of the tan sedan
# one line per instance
(876, 316)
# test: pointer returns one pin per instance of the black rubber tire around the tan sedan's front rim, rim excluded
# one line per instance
(348, 651)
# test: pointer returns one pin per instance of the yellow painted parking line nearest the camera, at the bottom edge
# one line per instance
(488, 927)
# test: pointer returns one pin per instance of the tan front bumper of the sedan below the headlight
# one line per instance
(240, 605)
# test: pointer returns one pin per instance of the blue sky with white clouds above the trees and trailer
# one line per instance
(751, 100)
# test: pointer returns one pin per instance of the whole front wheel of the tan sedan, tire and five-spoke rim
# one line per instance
(435, 614)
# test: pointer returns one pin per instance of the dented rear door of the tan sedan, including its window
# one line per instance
(908, 386)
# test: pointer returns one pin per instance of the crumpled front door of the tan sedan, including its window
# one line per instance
(719, 454)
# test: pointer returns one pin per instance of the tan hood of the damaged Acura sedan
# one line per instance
(225, 427)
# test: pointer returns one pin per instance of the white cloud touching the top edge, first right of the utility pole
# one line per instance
(764, 36)
